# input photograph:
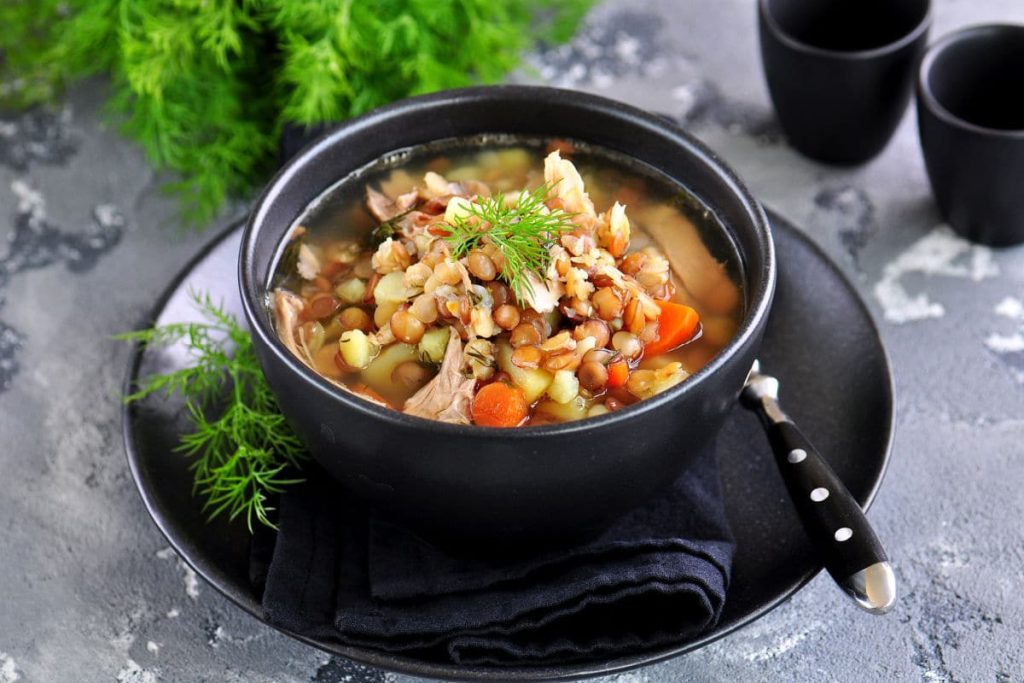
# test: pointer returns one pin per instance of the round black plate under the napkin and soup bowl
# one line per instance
(821, 343)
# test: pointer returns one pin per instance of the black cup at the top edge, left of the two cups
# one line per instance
(840, 72)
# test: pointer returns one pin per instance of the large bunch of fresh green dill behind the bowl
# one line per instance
(205, 87)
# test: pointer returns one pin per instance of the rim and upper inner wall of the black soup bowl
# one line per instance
(760, 290)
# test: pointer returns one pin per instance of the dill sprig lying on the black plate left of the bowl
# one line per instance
(241, 442)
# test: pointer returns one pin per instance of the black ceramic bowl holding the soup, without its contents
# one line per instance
(533, 485)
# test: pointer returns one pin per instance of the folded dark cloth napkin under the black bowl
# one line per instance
(658, 576)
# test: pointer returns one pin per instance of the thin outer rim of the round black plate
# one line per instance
(410, 666)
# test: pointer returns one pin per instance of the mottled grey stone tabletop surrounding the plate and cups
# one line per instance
(90, 592)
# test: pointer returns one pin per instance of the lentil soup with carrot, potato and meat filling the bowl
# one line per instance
(506, 283)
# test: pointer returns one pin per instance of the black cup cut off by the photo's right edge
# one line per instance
(971, 115)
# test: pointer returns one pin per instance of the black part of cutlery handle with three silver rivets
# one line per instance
(831, 517)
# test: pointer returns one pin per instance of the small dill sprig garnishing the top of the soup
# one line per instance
(523, 233)
